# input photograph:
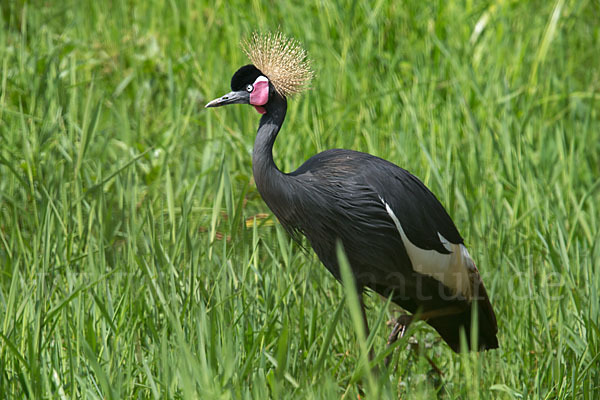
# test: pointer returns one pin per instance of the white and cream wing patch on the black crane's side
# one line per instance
(455, 270)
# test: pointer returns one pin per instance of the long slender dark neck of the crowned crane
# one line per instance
(268, 178)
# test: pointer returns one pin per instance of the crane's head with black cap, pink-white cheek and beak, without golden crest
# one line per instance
(249, 86)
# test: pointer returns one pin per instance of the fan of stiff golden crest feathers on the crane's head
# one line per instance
(282, 60)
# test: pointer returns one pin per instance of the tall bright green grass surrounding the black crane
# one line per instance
(130, 265)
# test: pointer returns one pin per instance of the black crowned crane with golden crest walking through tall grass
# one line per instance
(398, 238)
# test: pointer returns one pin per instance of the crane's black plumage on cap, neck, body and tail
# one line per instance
(341, 195)
